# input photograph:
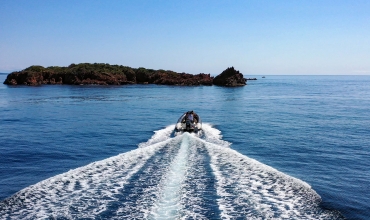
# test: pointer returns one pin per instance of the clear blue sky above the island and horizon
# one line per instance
(257, 37)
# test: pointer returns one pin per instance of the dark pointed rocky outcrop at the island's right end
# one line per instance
(230, 77)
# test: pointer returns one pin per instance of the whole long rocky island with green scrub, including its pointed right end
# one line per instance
(105, 74)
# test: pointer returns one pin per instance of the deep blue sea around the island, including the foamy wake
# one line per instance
(282, 147)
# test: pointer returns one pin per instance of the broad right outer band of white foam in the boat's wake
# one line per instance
(250, 189)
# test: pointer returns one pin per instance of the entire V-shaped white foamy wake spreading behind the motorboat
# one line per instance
(187, 176)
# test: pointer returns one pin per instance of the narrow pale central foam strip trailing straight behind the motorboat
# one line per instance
(169, 205)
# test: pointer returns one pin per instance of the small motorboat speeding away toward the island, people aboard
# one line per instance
(189, 121)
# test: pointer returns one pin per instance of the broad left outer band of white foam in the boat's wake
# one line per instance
(89, 188)
